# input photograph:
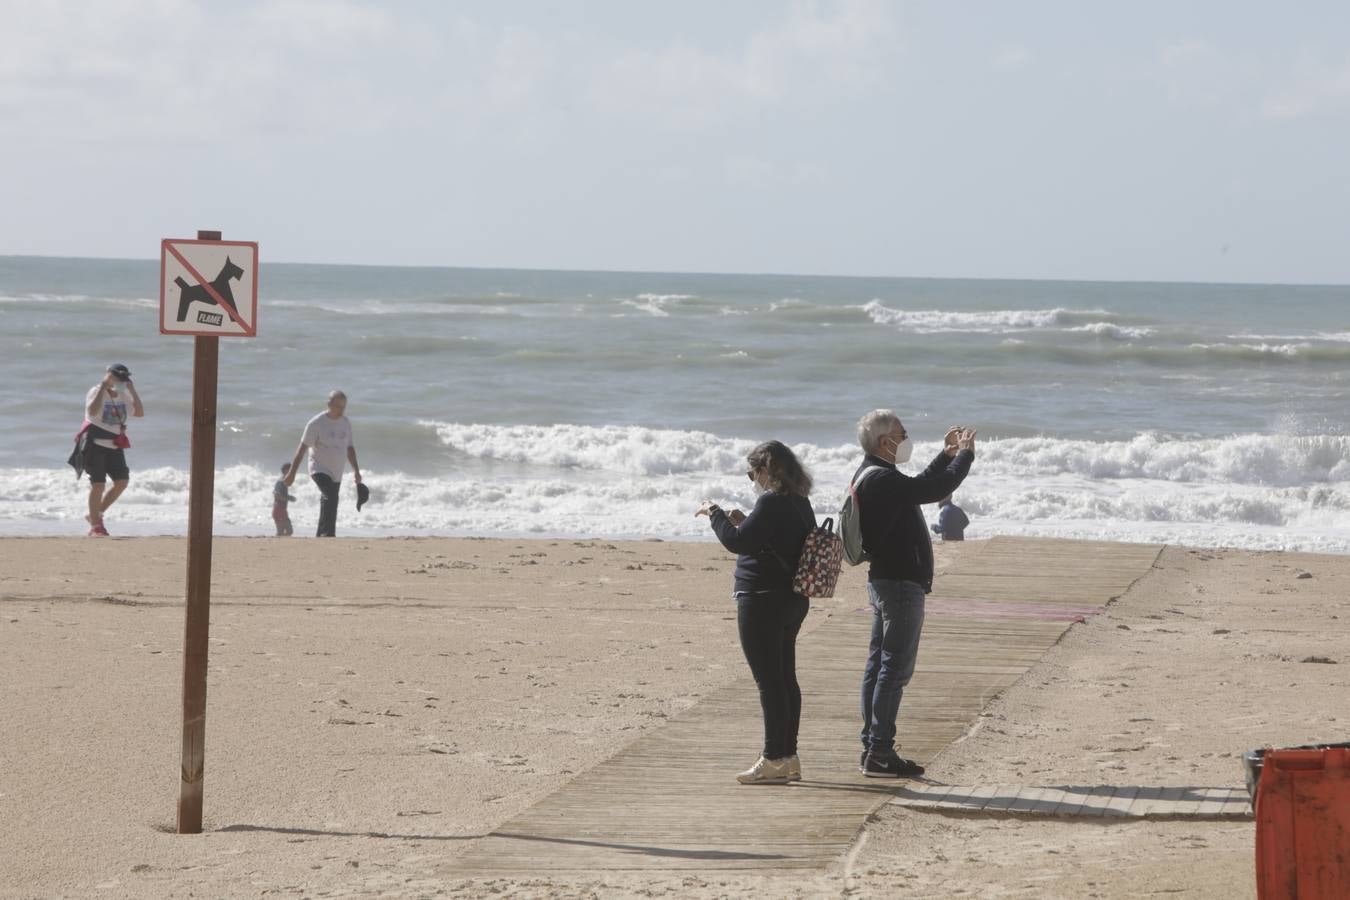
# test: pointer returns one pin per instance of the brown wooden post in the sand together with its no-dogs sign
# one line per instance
(195, 298)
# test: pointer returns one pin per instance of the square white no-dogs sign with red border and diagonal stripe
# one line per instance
(209, 288)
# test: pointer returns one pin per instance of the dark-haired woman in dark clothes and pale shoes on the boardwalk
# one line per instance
(769, 612)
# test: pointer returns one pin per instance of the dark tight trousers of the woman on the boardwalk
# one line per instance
(769, 625)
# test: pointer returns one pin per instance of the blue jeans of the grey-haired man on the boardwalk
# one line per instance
(897, 623)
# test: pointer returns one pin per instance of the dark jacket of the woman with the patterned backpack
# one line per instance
(769, 543)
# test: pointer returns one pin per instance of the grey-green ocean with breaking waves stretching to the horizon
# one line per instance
(607, 405)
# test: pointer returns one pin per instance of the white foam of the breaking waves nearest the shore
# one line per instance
(580, 481)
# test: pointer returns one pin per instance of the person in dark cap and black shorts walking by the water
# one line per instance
(105, 451)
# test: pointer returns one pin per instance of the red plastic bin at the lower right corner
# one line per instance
(1303, 825)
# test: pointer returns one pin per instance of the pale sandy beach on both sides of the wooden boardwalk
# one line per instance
(377, 706)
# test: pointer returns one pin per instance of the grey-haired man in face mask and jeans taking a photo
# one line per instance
(900, 575)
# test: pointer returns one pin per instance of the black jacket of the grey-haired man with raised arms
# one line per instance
(894, 530)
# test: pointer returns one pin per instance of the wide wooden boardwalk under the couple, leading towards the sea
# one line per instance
(670, 801)
